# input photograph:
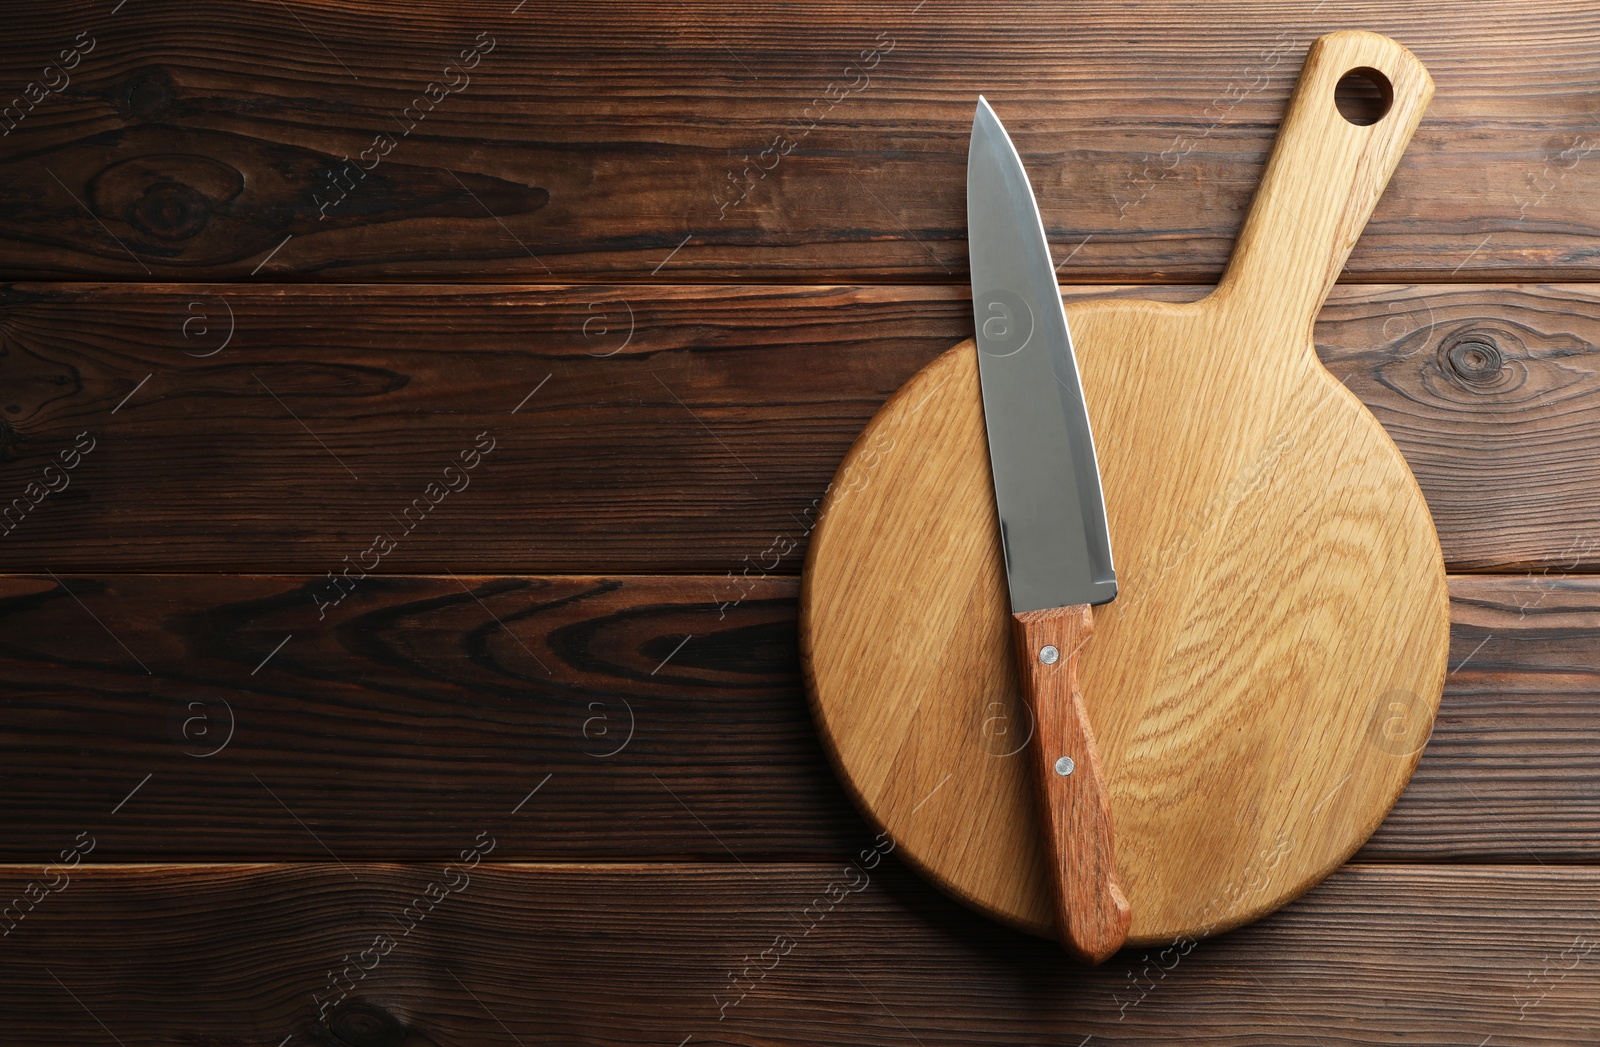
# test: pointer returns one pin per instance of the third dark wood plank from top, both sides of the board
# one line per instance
(170, 718)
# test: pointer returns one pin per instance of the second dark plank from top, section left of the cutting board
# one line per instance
(708, 433)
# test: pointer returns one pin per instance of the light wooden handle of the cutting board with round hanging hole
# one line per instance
(1326, 177)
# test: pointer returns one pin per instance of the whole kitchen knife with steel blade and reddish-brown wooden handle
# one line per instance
(1052, 526)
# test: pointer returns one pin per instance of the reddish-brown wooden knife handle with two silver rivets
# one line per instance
(1092, 917)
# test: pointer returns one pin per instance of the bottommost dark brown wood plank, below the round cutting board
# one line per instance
(676, 955)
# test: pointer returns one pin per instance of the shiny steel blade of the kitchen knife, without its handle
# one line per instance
(1041, 447)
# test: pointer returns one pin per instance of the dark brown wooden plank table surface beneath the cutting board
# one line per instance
(409, 427)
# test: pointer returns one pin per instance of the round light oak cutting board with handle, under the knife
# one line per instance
(1268, 676)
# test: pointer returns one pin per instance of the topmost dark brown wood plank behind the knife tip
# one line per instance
(604, 142)
